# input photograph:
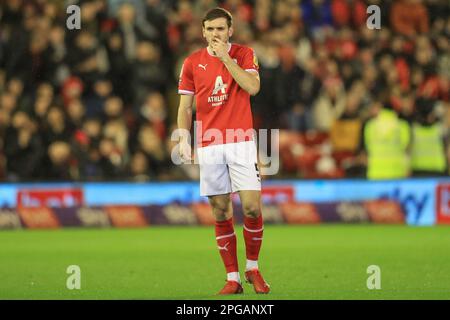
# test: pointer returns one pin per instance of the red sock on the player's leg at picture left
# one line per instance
(226, 242)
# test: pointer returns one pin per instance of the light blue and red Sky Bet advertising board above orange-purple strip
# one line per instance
(424, 201)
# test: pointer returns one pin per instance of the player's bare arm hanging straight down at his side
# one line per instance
(184, 122)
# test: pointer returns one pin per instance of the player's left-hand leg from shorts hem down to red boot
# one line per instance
(226, 241)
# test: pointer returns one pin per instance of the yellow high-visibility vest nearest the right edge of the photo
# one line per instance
(427, 150)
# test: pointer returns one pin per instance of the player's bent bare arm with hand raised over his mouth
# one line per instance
(247, 80)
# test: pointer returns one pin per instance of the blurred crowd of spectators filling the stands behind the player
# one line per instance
(100, 103)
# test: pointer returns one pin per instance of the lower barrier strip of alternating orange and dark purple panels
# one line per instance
(376, 211)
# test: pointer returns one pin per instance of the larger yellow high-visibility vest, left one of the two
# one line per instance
(387, 138)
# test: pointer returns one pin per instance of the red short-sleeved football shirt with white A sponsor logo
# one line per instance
(222, 105)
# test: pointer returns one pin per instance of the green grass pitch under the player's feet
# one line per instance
(300, 262)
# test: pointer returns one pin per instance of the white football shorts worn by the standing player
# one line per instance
(227, 168)
